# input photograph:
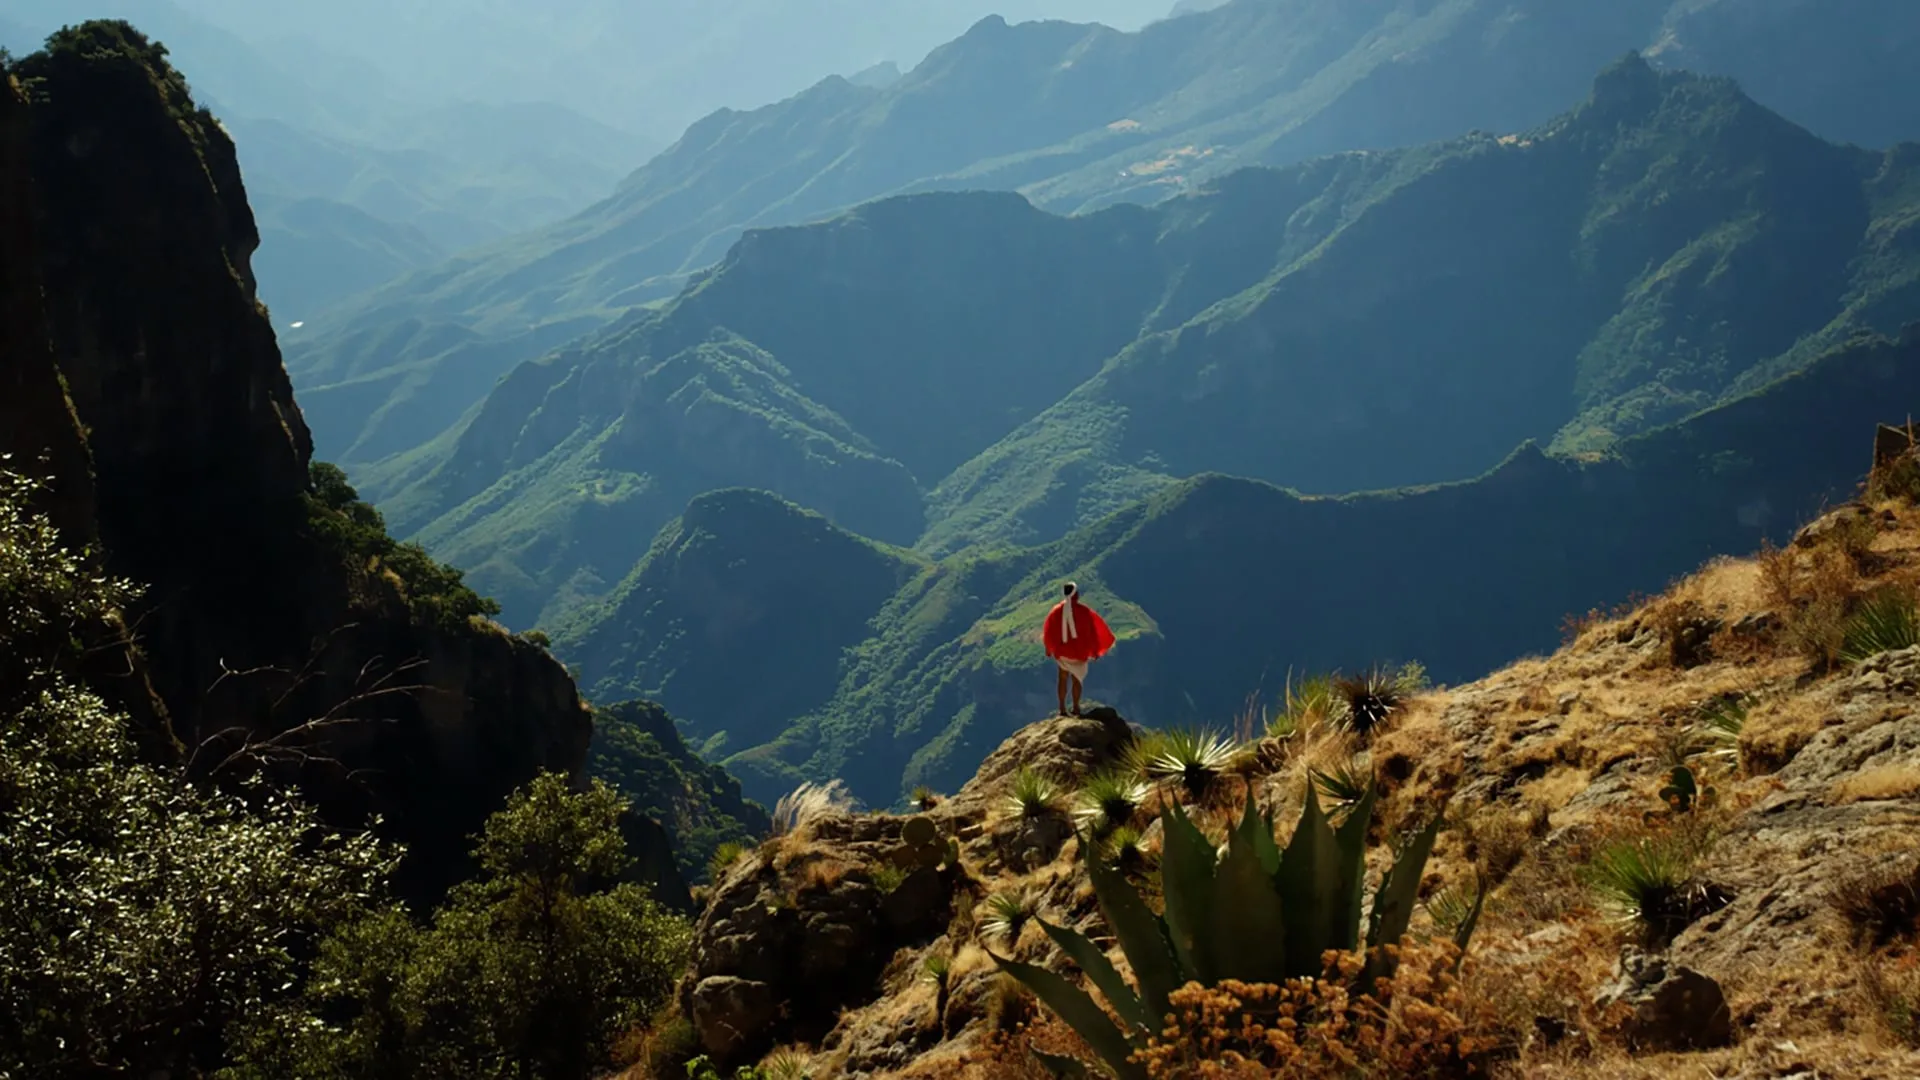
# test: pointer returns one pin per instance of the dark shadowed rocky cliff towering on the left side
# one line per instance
(256, 622)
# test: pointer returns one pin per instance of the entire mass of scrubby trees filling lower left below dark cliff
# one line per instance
(156, 923)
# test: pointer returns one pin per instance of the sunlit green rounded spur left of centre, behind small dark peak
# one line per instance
(554, 491)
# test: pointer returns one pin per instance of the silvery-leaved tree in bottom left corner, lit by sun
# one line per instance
(139, 914)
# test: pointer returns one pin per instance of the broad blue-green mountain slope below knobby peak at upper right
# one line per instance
(1629, 264)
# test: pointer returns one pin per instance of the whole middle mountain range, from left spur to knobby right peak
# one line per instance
(1358, 322)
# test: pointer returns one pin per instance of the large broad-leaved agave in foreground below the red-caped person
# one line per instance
(1255, 914)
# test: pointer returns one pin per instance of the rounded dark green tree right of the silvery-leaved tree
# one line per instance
(535, 970)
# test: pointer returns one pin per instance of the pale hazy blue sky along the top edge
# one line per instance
(648, 66)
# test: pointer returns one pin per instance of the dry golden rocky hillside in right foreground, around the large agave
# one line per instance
(1765, 927)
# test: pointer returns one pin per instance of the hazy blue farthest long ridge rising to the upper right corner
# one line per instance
(1076, 118)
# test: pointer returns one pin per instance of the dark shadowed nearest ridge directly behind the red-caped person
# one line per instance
(1218, 587)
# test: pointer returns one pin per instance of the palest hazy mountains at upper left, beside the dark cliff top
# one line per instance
(410, 182)
